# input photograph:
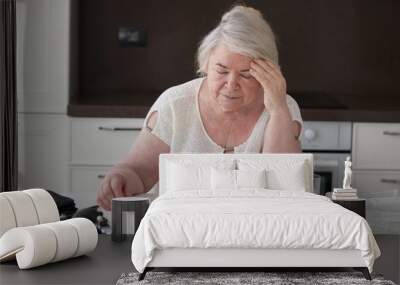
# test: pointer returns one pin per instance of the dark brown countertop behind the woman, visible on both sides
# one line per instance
(339, 108)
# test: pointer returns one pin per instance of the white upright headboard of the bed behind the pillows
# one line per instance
(210, 159)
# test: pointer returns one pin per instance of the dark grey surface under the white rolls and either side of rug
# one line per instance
(110, 259)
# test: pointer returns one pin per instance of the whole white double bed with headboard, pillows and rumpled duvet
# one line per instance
(247, 211)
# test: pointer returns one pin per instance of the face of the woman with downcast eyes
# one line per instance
(230, 82)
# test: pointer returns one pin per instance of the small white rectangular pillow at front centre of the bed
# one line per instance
(236, 179)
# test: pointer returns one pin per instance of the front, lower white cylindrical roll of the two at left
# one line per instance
(40, 244)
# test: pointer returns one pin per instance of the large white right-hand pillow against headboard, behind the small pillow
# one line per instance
(281, 174)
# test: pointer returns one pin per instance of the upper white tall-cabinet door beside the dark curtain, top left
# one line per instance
(42, 55)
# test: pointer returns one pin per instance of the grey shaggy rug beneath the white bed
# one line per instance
(243, 278)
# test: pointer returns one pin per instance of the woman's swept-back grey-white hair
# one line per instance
(243, 30)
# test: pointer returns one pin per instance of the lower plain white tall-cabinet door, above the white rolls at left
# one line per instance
(43, 152)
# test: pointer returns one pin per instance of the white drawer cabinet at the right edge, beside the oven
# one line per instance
(376, 173)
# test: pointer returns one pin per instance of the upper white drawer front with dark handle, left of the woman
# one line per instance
(102, 141)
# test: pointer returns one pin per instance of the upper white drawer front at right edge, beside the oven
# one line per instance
(376, 146)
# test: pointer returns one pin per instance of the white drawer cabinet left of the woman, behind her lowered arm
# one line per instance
(96, 145)
